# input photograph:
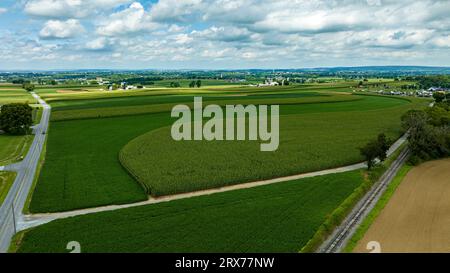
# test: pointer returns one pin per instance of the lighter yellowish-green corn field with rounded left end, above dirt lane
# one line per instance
(308, 142)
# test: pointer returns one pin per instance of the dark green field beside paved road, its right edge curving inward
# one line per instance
(82, 168)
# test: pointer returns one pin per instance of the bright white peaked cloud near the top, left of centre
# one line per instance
(134, 19)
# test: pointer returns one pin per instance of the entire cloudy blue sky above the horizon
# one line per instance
(222, 34)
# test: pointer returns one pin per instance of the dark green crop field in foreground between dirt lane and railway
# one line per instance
(274, 218)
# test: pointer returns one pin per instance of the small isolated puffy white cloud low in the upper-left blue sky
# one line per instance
(55, 29)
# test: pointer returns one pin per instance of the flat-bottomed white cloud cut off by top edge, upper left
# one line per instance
(69, 8)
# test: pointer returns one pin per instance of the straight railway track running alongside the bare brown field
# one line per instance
(338, 240)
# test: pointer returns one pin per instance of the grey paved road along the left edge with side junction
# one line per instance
(12, 207)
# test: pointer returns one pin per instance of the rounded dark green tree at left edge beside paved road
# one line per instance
(16, 118)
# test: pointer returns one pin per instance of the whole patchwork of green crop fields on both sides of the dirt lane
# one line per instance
(115, 148)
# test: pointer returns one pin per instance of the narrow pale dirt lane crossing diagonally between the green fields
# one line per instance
(29, 221)
